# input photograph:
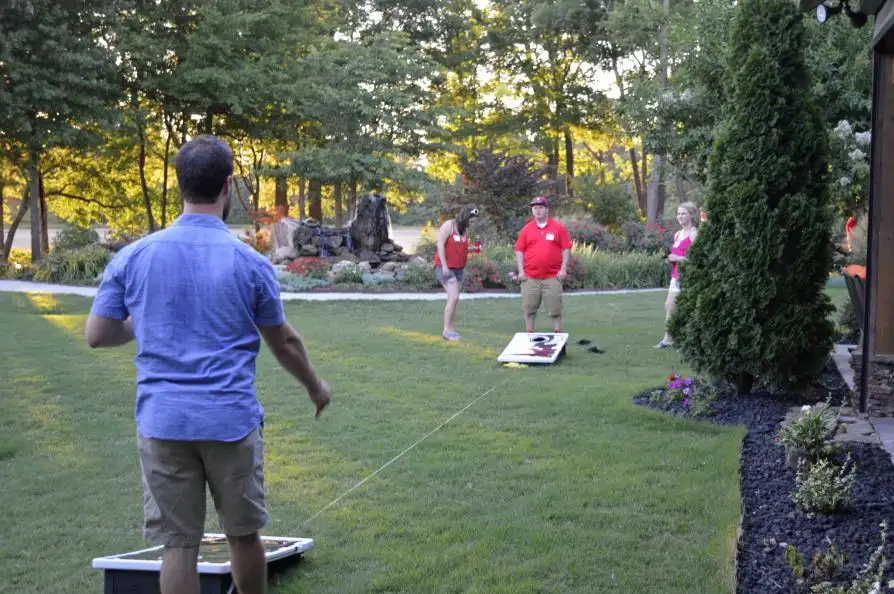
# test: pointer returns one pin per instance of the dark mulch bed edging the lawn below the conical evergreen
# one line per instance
(770, 520)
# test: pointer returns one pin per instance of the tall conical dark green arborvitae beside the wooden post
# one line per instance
(753, 304)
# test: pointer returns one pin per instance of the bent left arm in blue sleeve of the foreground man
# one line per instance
(109, 323)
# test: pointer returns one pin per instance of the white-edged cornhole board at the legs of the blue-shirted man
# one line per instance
(137, 572)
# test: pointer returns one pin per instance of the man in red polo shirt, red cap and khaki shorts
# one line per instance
(542, 251)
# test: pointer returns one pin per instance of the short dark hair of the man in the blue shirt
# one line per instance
(203, 165)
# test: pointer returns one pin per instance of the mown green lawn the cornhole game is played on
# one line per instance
(554, 482)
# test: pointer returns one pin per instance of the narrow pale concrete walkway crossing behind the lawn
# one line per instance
(7, 286)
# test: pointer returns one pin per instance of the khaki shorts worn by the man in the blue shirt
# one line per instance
(174, 476)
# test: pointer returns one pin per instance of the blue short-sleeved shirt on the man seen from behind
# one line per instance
(196, 295)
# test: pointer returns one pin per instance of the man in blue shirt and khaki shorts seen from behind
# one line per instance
(195, 299)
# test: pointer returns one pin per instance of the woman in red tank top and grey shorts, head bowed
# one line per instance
(450, 261)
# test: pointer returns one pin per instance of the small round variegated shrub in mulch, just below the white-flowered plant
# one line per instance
(823, 486)
